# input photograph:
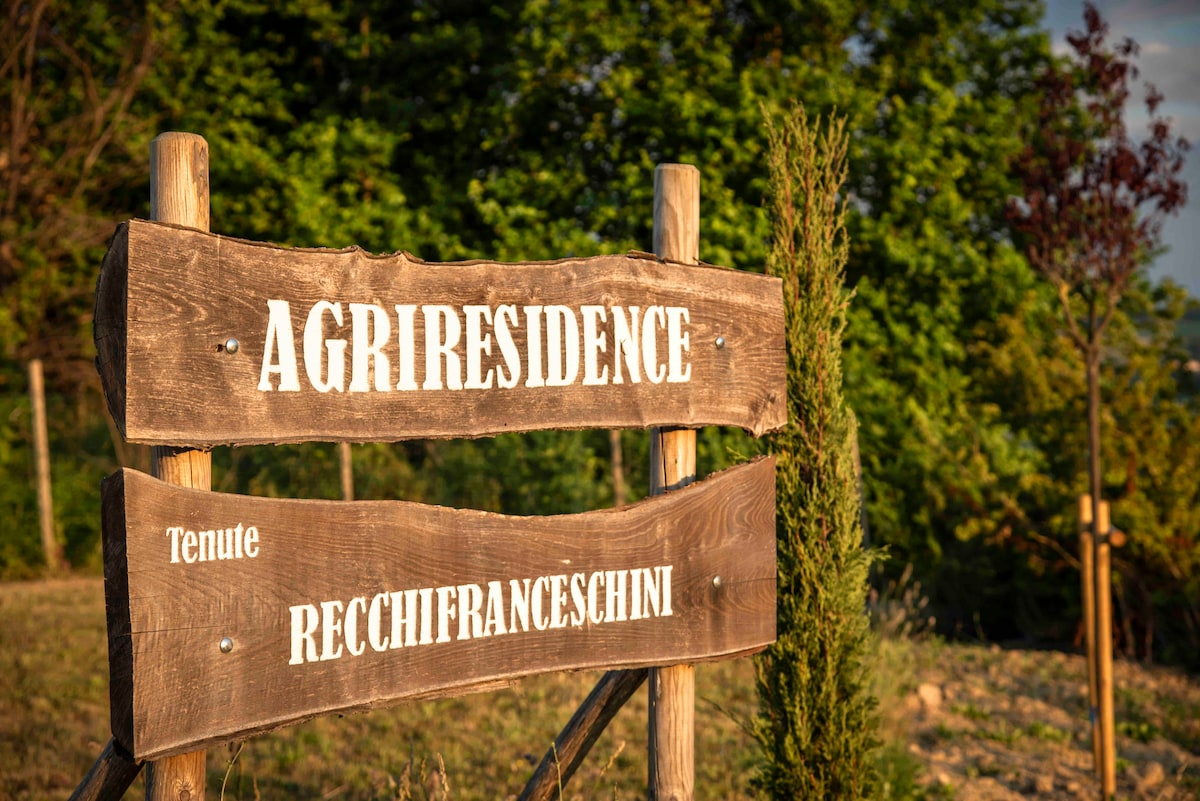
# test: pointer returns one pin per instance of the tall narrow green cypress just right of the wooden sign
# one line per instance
(817, 722)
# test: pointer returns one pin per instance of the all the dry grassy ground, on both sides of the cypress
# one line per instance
(55, 722)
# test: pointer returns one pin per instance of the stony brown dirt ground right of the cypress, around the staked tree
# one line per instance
(991, 724)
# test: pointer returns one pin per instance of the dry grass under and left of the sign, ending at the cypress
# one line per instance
(55, 722)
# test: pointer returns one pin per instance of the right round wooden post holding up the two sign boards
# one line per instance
(674, 466)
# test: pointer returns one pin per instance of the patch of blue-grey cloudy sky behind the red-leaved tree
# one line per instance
(1168, 34)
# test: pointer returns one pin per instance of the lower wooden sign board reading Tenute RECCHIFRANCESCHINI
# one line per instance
(231, 616)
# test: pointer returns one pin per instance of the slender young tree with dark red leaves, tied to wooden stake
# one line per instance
(1091, 216)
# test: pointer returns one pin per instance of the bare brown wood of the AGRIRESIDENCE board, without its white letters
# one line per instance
(169, 299)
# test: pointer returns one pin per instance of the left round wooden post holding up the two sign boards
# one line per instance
(179, 195)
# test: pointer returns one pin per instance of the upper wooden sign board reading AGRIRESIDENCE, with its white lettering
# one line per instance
(205, 340)
